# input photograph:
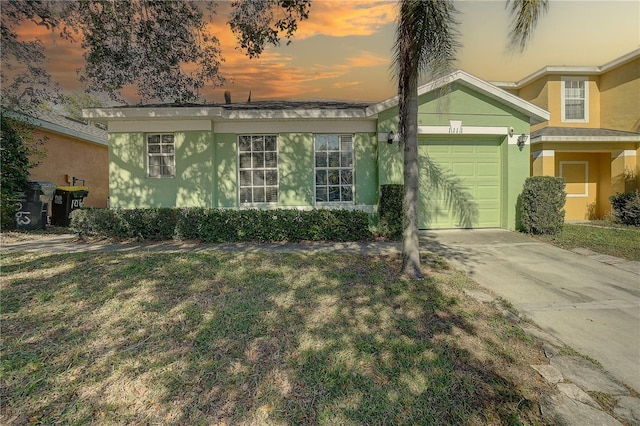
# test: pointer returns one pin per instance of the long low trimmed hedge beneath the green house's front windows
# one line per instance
(218, 225)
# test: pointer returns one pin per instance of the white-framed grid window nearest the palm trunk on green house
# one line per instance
(333, 168)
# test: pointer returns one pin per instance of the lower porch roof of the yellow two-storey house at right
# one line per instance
(575, 134)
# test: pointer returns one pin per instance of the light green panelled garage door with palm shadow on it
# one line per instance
(475, 166)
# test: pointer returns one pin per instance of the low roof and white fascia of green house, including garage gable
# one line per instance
(269, 110)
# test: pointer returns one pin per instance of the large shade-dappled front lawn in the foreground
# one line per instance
(254, 338)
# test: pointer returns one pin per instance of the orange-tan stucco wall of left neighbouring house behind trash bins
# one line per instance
(66, 156)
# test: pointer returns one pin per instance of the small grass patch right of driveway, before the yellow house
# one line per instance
(602, 237)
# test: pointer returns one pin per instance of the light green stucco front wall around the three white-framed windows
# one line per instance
(207, 171)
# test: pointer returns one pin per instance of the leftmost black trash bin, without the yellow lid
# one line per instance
(33, 207)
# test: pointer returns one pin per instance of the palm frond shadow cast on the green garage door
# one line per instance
(446, 194)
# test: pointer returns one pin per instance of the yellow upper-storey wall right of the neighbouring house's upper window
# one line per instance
(620, 98)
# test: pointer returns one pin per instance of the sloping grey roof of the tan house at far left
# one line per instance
(63, 125)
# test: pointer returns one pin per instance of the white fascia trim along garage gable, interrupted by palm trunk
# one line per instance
(535, 113)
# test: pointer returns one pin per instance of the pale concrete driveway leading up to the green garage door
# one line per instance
(592, 306)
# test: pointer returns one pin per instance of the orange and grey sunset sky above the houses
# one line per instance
(344, 49)
